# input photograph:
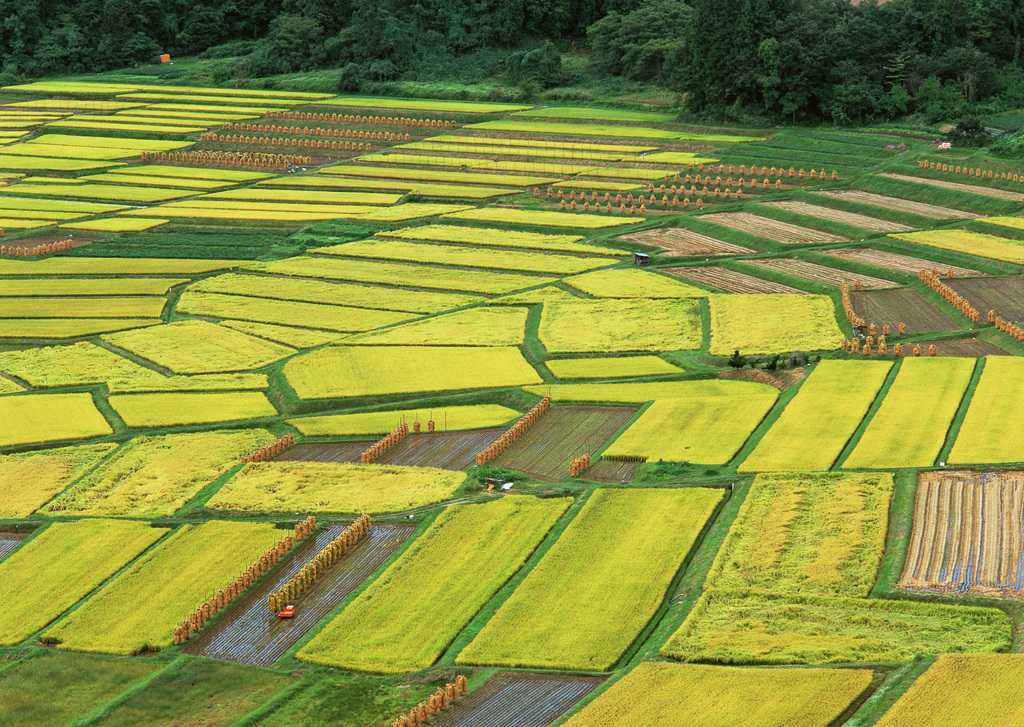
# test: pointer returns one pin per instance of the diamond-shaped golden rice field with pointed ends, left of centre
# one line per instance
(199, 348)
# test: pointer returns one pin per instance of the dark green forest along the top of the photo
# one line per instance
(792, 61)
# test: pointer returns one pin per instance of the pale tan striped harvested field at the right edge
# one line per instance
(967, 534)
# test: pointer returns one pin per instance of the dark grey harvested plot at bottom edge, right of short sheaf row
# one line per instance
(519, 700)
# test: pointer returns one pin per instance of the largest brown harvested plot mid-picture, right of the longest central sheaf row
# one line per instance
(562, 435)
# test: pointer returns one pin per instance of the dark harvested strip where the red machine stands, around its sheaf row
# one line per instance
(250, 634)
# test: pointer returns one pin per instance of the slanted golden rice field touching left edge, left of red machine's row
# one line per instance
(61, 566)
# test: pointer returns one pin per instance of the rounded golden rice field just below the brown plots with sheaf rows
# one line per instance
(333, 488)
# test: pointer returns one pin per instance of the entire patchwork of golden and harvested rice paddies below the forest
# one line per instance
(641, 410)
